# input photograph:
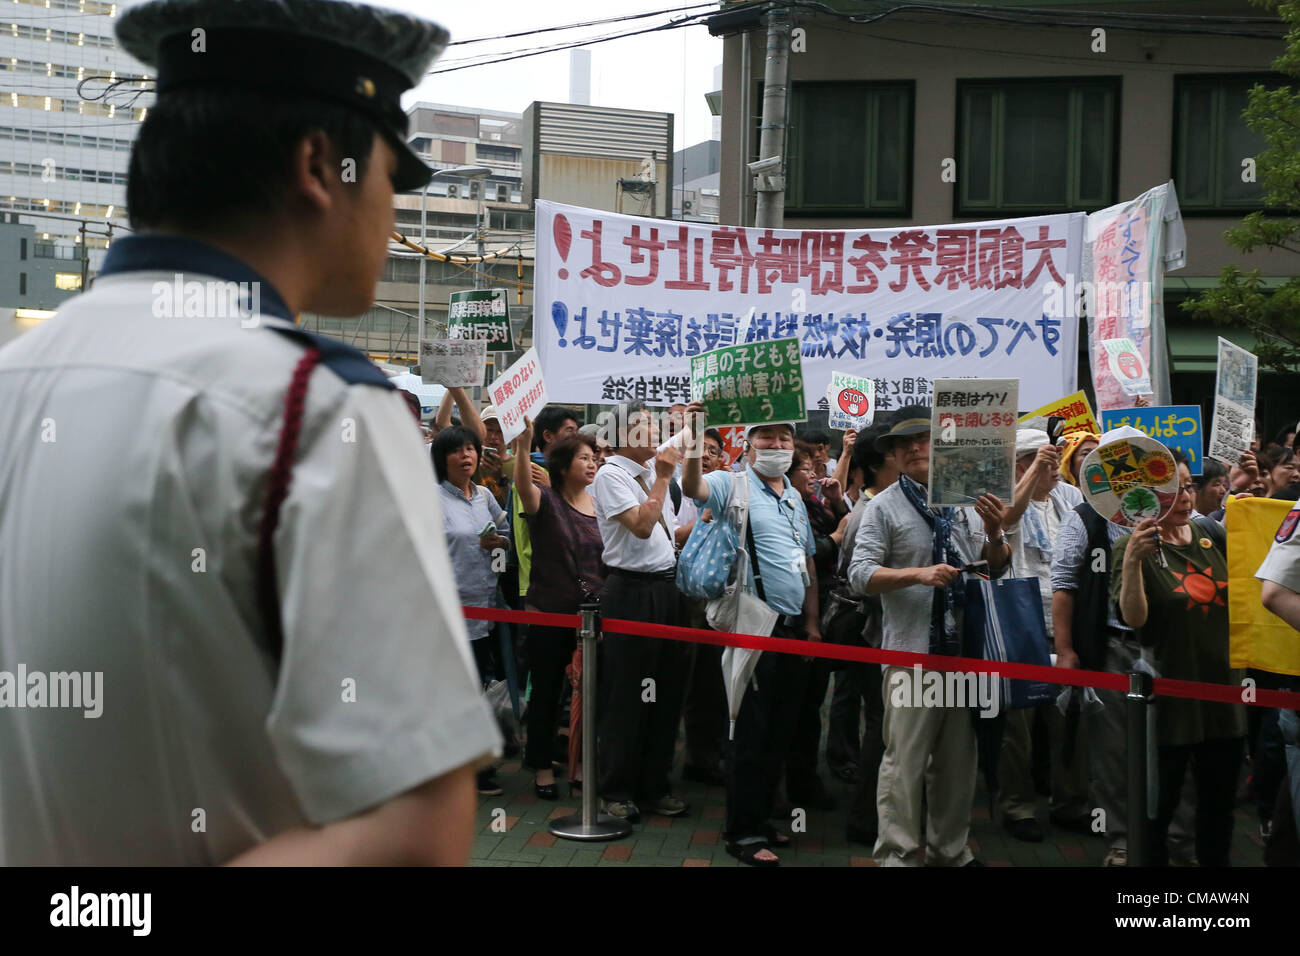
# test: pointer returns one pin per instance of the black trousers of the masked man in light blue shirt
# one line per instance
(764, 730)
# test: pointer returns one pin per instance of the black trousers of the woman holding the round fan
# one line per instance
(1215, 771)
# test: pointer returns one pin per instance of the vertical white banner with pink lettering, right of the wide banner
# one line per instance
(1126, 252)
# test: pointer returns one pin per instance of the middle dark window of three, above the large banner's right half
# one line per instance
(1037, 146)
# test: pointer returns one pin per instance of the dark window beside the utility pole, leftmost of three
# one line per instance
(851, 149)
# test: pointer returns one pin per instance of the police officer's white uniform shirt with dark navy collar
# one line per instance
(135, 456)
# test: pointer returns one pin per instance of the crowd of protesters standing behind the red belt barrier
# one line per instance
(848, 551)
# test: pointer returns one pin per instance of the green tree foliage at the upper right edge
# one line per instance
(1241, 300)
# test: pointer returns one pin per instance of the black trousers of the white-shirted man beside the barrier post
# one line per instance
(638, 723)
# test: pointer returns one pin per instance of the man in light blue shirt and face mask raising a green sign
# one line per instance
(782, 552)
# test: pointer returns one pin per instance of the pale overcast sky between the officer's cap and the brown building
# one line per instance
(668, 72)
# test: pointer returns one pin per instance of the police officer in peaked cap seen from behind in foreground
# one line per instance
(223, 530)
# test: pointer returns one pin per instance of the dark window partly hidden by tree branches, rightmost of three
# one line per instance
(1212, 142)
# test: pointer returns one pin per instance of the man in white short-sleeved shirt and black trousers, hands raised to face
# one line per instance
(638, 723)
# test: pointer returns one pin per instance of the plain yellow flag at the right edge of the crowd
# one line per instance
(1256, 637)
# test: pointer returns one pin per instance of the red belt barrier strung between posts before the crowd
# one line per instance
(1165, 687)
